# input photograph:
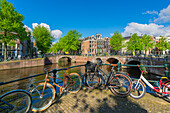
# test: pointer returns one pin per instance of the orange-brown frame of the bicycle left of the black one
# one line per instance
(64, 81)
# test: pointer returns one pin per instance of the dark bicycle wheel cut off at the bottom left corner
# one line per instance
(16, 101)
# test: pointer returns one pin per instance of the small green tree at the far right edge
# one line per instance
(162, 44)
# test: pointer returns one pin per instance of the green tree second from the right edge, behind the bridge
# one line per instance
(147, 43)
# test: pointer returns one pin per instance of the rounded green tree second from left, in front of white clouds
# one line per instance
(43, 38)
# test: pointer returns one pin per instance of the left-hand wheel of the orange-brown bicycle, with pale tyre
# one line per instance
(41, 103)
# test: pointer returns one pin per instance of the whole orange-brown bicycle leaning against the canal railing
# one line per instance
(44, 94)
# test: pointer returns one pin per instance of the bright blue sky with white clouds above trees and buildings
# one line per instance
(97, 16)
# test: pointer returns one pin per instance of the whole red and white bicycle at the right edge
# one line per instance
(139, 87)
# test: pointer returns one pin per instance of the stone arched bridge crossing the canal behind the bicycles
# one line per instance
(114, 60)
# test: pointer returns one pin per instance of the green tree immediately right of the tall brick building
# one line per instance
(116, 41)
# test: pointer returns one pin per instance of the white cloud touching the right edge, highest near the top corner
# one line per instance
(164, 16)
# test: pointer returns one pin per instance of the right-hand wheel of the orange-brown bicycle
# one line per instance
(74, 87)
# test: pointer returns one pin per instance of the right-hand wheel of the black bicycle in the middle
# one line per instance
(120, 85)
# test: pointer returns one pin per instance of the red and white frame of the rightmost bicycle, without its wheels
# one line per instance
(156, 89)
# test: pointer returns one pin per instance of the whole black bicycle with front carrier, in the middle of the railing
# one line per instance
(119, 84)
